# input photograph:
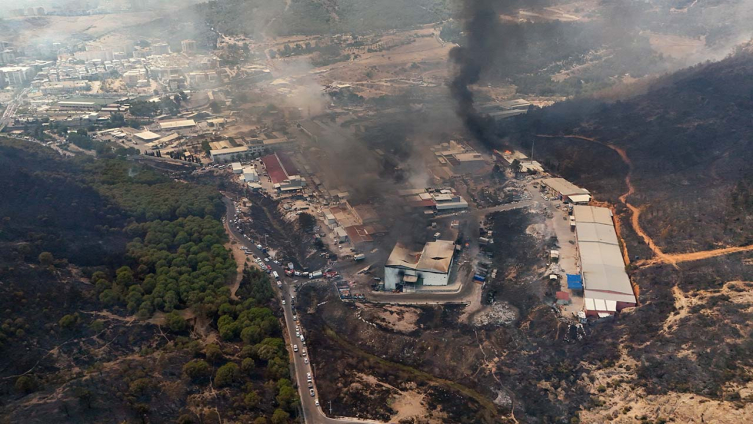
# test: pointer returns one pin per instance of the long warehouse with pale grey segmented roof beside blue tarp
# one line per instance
(607, 287)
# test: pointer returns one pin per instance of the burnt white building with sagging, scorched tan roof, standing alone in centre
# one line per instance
(430, 267)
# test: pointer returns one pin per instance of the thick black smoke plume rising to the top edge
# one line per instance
(488, 44)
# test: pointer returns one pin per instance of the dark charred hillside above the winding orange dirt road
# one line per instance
(689, 146)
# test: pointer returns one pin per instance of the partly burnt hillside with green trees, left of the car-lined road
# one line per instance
(115, 297)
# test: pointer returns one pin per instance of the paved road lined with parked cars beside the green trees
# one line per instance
(311, 413)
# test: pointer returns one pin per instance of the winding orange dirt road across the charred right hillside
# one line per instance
(660, 256)
